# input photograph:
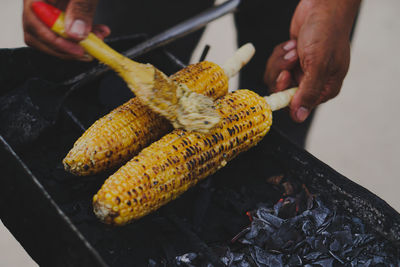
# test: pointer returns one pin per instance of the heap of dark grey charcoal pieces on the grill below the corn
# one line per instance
(316, 237)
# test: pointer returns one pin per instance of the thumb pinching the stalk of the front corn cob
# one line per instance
(308, 96)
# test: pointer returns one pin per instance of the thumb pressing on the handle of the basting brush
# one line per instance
(79, 18)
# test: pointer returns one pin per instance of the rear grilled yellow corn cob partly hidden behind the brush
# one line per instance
(121, 134)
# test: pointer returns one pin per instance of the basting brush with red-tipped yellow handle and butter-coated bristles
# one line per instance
(183, 107)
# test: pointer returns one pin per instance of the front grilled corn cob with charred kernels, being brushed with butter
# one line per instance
(168, 167)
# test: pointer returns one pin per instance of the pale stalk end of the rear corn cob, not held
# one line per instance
(241, 57)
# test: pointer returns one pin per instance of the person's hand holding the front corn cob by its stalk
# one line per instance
(317, 56)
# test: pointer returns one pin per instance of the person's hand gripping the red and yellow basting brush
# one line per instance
(78, 24)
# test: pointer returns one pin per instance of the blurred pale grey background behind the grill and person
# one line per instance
(357, 133)
